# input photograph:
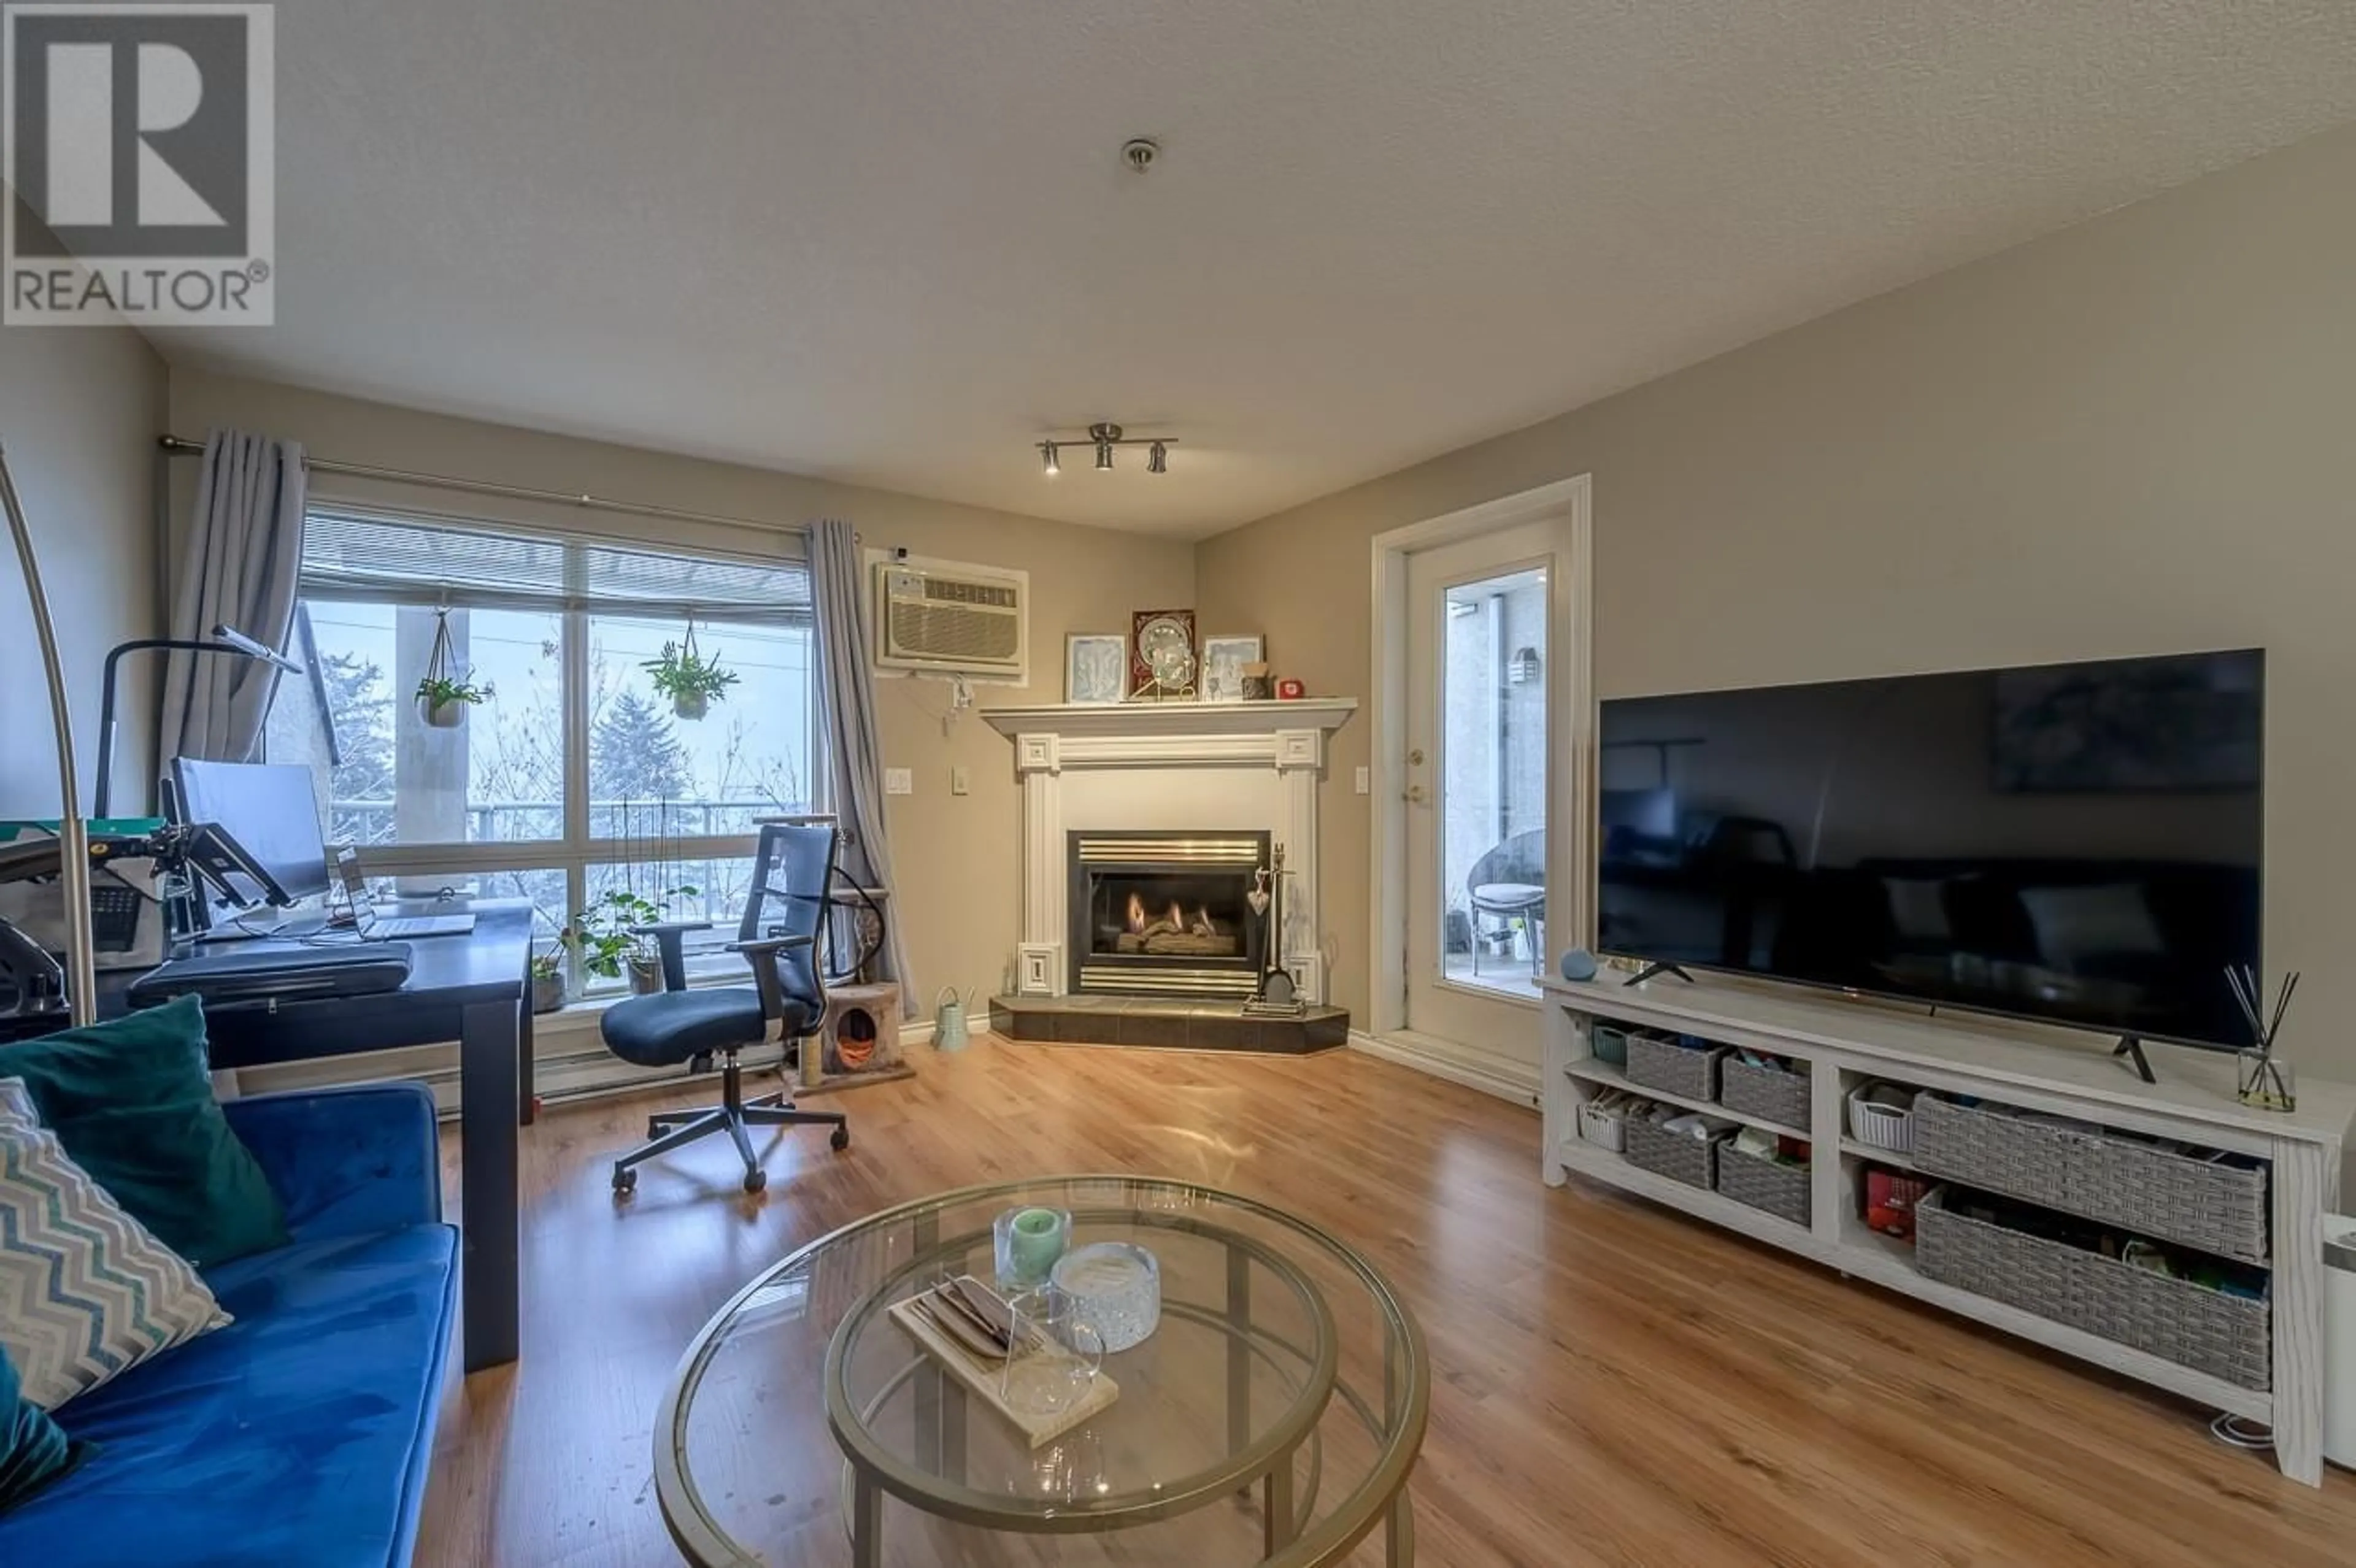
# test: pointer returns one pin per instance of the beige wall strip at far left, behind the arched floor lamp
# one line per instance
(79, 418)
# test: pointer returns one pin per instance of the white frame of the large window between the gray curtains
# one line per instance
(418, 868)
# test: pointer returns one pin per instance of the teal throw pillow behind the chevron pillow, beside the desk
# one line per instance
(133, 1105)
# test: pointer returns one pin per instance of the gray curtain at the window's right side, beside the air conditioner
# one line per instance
(854, 743)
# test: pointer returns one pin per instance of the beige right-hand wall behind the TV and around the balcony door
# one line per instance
(2133, 437)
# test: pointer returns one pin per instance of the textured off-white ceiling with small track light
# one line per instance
(889, 241)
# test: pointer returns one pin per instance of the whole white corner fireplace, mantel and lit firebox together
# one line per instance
(1141, 832)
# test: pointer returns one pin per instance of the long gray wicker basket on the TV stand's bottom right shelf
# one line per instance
(2166, 1317)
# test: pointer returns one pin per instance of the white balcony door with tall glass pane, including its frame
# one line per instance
(1483, 743)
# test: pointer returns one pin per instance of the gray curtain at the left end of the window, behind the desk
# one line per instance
(237, 569)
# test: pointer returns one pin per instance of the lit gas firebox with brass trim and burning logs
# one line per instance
(1167, 915)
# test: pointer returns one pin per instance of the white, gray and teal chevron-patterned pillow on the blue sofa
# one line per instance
(86, 1291)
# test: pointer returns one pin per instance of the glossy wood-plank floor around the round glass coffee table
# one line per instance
(1610, 1383)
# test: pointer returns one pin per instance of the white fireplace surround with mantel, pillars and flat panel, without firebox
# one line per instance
(1167, 766)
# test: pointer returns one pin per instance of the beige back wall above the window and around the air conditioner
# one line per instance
(955, 853)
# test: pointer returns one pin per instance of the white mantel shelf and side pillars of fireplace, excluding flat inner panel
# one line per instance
(1198, 738)
